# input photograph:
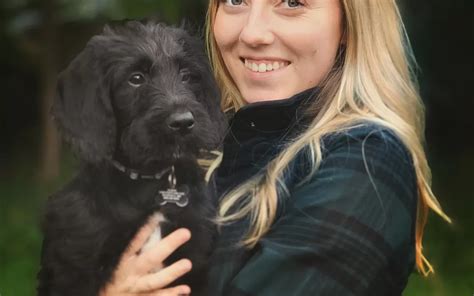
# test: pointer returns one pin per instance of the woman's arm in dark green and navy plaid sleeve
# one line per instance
(348, 231)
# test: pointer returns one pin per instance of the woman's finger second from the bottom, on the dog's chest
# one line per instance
(162, 278)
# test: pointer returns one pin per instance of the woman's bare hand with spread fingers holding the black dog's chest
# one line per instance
(143, 273)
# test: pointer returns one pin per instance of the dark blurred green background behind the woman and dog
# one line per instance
(39, 37)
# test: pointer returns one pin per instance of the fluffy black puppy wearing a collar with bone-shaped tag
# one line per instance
(138, 105)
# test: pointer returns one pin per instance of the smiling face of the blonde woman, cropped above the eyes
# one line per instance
(275, 49)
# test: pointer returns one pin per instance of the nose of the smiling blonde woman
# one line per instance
(257, 28)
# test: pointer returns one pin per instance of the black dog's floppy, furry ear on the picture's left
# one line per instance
(82, 107)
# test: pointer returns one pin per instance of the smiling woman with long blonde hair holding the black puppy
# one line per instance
(324, 183)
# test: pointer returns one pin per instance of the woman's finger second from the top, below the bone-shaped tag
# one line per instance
(153, 258)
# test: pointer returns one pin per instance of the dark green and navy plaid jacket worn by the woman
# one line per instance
(349, 230)
